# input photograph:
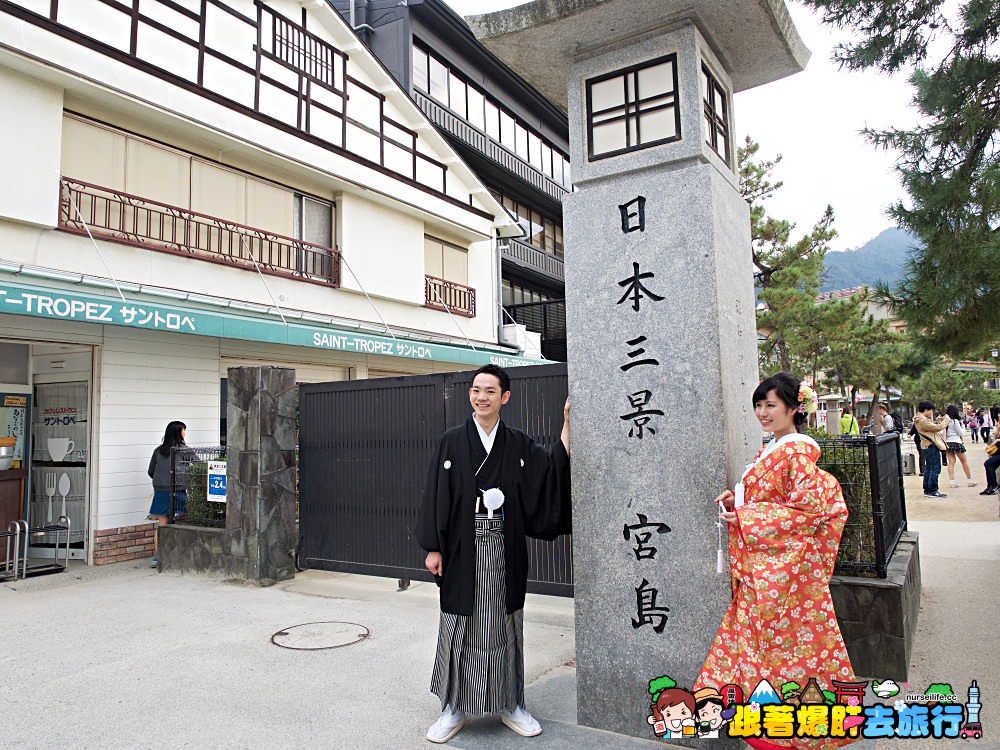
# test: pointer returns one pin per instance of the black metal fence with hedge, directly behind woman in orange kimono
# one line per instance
(870, 472)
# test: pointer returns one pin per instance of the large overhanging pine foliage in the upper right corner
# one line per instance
(949, 163)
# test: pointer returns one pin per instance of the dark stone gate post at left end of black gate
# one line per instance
(260, 473)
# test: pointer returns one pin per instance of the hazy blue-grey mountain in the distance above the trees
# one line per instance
(879, 259)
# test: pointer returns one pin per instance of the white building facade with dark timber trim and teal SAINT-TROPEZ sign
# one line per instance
(190, 186)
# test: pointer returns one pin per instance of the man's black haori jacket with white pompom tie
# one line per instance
(535, 482)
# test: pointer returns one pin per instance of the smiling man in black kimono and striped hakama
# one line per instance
(488, 488)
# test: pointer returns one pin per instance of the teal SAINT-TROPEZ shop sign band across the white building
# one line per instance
(40, 302)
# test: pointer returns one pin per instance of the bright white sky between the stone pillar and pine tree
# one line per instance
(813, 119)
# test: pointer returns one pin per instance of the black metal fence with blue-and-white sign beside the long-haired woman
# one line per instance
(194, 493)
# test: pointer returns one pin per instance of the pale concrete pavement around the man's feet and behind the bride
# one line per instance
(122, 657)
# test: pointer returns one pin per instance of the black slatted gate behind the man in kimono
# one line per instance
(364, 448)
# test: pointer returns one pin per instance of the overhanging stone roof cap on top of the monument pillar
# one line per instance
(755, 40)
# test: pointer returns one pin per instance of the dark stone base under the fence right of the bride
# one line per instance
(878, 618)
